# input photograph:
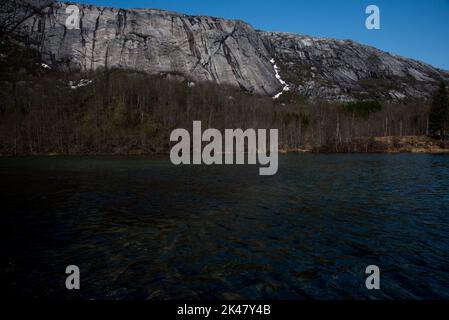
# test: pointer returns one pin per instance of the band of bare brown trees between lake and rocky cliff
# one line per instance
(43, 111)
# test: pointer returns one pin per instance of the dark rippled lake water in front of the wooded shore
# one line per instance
(140, 228)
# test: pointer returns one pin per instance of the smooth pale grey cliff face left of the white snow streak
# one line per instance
(199, 48)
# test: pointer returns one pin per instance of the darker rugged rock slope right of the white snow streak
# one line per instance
(344, 69)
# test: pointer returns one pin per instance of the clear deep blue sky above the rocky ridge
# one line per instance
(415, 28)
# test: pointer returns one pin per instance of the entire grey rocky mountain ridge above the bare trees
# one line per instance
(199, 48)
